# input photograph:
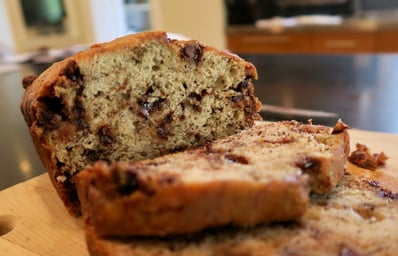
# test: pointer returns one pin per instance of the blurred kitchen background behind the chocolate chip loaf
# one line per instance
(318, 59)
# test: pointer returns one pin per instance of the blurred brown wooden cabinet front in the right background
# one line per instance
(316, 40)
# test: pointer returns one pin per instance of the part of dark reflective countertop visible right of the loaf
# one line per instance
(361, 89)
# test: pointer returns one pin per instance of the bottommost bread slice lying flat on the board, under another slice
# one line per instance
(354, 219)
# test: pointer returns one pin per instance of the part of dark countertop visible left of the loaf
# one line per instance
(19, 160)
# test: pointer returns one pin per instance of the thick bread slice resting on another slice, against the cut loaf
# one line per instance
(259, 175)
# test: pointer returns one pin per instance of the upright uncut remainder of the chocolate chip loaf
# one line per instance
(137, 97)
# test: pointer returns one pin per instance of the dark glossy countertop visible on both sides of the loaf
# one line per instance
(362, 89)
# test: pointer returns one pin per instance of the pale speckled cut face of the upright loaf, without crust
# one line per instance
(140, 102)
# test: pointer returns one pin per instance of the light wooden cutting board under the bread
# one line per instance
(33, 220)
